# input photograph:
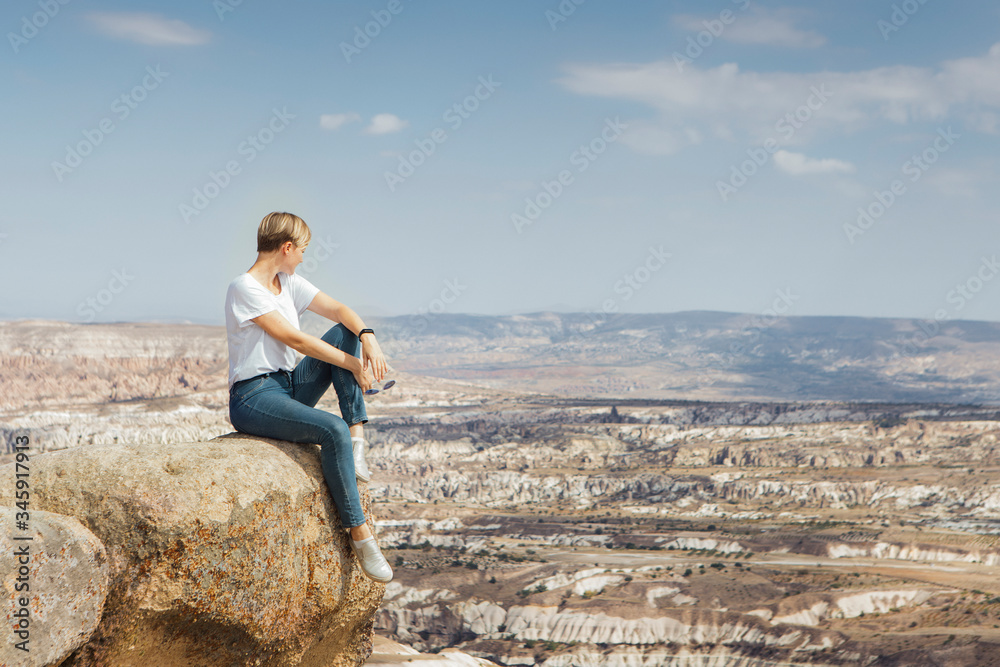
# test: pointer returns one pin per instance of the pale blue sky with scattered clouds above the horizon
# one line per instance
(504, 157)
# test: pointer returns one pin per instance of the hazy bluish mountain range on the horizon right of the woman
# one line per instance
(703, 355)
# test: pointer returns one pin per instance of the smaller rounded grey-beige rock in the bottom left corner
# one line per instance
(55, 581)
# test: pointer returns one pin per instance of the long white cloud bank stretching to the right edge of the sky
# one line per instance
(723, 100)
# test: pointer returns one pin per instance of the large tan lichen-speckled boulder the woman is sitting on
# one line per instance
(226, 552)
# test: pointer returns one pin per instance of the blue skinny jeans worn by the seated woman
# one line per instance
(280, 405)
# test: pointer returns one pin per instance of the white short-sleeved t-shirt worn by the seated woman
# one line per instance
(252, 351)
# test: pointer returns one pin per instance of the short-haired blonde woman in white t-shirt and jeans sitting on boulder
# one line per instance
(270, 396)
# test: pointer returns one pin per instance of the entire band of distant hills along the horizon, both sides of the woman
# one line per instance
(696, 355)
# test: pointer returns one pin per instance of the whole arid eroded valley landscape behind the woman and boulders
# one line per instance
(539, 509)
